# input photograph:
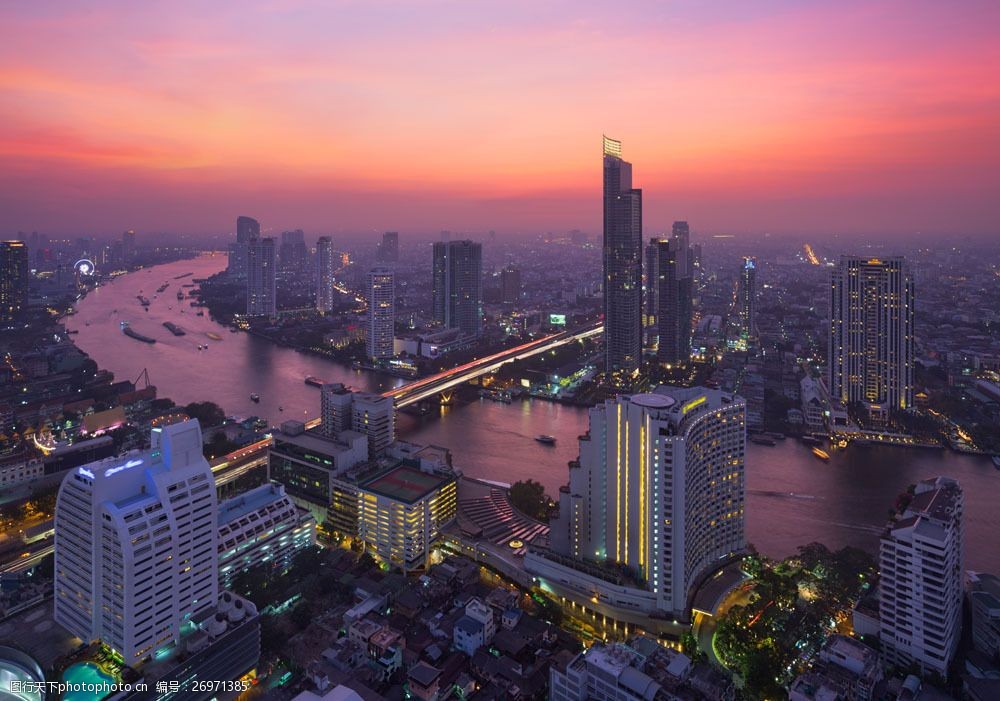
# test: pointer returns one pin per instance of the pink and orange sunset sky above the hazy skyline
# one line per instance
(787, 116)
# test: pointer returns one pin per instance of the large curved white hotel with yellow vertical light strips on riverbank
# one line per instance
(658, 488)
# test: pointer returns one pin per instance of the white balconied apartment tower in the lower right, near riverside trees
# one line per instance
(920, 592)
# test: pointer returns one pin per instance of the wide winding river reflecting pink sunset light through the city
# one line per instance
(792, 497)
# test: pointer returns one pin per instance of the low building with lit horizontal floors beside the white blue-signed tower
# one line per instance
(262, 525)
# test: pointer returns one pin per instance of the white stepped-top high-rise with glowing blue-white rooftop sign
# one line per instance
(136, 544)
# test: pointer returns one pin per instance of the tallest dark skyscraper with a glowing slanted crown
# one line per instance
(622, 263)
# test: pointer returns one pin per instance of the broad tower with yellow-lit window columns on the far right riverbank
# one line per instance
(871, 334)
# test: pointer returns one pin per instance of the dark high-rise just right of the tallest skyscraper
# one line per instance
(673, 298)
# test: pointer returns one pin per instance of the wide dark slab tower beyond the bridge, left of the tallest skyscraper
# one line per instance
(458, 285)
